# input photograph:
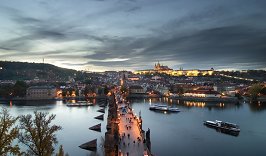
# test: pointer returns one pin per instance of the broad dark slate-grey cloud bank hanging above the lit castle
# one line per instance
(229, 45)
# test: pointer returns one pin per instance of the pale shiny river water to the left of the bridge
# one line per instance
(75, 122)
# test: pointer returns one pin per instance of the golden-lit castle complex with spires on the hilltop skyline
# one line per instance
(158, 68)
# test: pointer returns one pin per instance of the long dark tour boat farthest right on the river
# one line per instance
(224, 127)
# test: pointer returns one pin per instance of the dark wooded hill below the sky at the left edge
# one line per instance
(29, 71)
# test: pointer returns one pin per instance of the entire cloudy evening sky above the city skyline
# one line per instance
(100, 35)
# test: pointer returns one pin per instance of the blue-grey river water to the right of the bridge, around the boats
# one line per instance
(180, 130)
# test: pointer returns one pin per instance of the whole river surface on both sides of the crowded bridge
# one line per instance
(172, 134)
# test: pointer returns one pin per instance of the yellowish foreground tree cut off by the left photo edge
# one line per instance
(8, 133)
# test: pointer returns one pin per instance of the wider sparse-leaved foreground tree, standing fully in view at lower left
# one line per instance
(38, 134)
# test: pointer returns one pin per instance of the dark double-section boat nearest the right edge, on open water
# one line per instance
(230, 127)
